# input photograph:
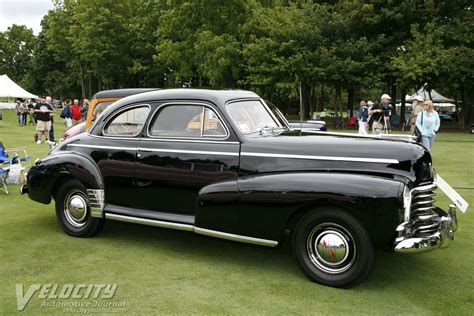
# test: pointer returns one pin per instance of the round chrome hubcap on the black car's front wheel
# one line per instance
(331, 248)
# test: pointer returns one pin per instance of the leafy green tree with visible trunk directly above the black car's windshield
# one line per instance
(286, 51)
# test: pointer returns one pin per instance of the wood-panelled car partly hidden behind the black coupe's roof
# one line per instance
(99, 102)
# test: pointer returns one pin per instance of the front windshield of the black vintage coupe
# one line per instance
(252, 116)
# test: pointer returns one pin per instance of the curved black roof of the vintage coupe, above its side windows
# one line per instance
(218, 97)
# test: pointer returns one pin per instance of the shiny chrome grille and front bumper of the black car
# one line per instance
(425, 226)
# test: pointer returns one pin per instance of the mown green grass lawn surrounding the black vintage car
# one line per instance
(161, 271)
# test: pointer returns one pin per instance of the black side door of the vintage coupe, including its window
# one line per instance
(186, 148)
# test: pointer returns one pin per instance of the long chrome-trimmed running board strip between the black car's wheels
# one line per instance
(191, 228)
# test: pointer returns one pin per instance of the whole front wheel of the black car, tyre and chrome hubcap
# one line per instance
(333, 248)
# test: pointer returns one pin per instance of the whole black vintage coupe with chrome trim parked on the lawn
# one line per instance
(225, 164)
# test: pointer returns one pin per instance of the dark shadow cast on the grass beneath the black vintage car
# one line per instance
(392, 269)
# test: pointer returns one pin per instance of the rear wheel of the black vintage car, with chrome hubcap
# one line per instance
(73, 210)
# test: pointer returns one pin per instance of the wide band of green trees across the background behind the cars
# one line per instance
(325, 51)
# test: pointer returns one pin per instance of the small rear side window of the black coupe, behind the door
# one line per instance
(128, 123)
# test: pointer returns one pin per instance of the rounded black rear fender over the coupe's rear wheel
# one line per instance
(44, 177)
